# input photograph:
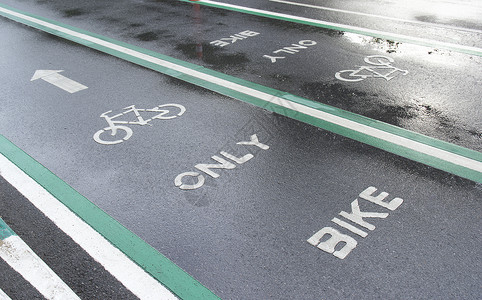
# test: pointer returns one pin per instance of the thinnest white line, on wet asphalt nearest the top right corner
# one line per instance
(377, 16)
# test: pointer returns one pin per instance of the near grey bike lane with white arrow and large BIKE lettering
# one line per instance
(243, 234)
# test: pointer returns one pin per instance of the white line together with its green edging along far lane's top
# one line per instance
(342, 27)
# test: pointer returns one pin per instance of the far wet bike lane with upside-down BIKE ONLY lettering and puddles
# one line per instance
(436, 98)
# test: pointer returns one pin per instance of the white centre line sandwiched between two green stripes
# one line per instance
(352, 125)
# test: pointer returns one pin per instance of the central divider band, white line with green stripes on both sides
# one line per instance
(445, 156)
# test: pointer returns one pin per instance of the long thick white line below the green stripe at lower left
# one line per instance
(112, 259)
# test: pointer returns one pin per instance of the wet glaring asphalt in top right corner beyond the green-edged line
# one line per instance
(457, 21)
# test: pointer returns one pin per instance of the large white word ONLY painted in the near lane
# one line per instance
(223, 164)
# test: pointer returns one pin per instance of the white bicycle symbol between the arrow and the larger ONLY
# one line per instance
(114, 128)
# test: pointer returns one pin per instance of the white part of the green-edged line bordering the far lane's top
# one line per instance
(354, 29)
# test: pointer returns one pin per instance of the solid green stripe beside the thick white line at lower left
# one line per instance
(152, 261)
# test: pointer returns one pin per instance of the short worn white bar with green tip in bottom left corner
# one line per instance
(15, 252)
